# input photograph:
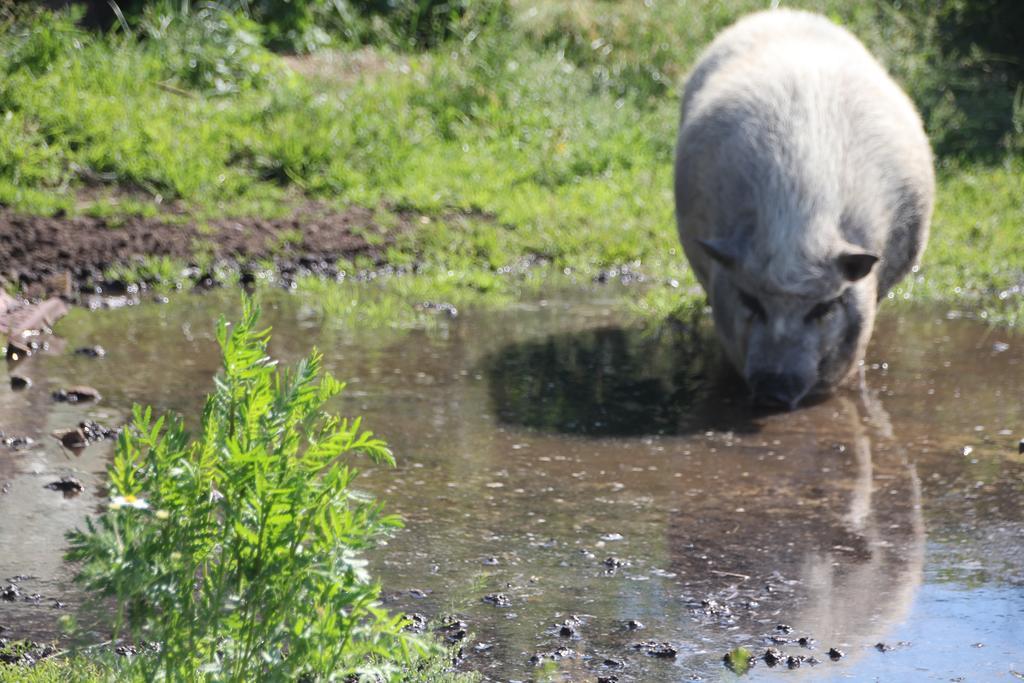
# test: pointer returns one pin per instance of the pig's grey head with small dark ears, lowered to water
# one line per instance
(798, 333)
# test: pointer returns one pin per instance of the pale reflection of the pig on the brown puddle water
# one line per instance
(830, 540)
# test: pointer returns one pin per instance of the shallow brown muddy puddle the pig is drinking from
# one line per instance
(580, 491)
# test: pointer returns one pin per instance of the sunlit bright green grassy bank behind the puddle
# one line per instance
(537, 134)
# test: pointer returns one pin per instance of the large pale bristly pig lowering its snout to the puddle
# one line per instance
(804, 188)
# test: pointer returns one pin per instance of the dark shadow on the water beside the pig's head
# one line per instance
(615, 381)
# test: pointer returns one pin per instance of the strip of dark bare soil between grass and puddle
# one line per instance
(48, 254)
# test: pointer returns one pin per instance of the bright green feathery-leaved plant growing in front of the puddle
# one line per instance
(238, 553)
